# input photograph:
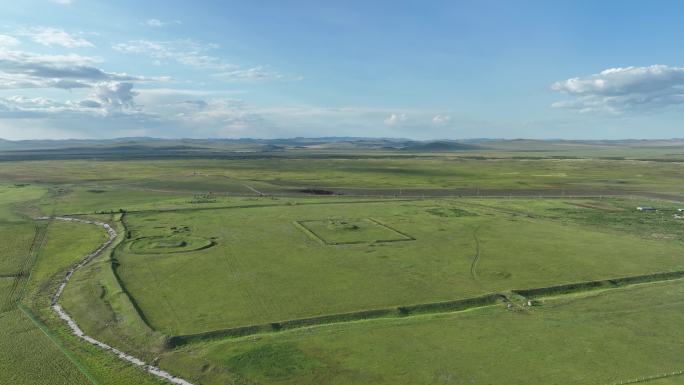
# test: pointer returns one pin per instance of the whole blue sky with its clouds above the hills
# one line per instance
(415, 69)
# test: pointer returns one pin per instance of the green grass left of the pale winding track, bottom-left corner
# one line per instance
(33, 356)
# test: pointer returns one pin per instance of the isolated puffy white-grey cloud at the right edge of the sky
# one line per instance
(627, 89)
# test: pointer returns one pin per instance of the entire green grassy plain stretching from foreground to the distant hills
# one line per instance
(349, 288)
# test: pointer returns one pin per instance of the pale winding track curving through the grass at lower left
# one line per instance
(75, 330)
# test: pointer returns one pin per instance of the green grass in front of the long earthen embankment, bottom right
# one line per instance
(586, 339)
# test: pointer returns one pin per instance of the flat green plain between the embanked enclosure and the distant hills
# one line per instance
(170, 178)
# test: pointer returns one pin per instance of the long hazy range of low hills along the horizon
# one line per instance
(146, 147)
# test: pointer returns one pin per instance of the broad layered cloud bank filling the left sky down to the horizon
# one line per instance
(63, 91)
